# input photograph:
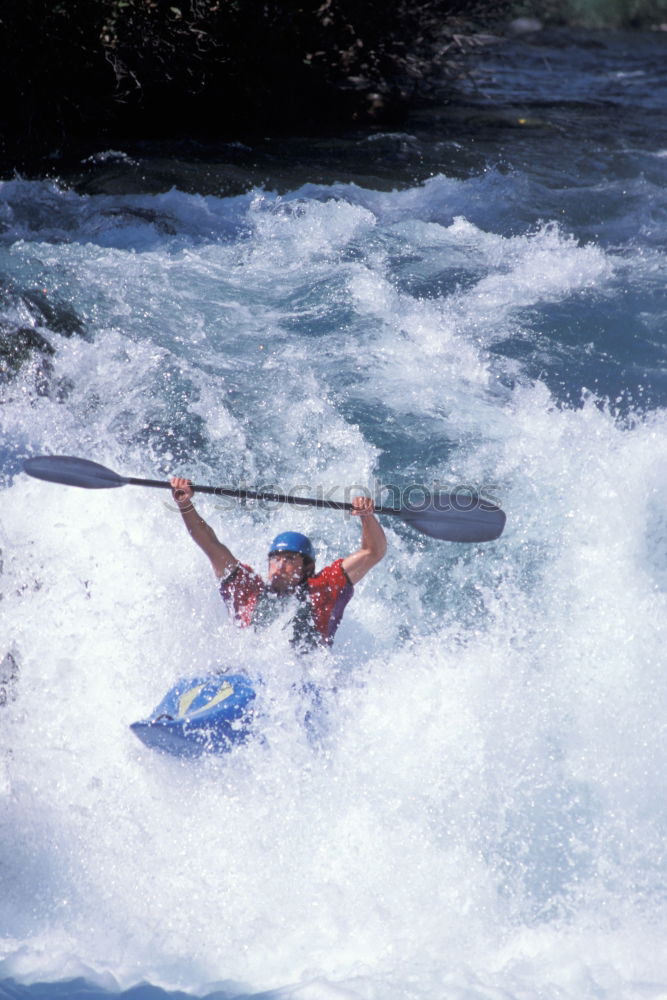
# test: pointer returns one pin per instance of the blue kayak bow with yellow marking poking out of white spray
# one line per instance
(201, 715)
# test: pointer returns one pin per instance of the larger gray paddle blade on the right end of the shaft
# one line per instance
(456, 519)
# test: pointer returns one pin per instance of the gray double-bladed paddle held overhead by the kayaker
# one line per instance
(446, 516)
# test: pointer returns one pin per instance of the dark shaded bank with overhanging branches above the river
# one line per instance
(77, 74)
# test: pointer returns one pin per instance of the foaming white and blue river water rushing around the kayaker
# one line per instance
(477, 299)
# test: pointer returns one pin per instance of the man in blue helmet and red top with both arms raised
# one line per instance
(319, 599)
